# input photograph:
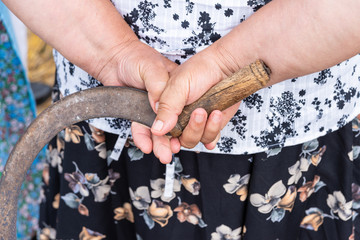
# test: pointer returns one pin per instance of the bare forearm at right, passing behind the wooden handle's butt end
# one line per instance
(294, 38)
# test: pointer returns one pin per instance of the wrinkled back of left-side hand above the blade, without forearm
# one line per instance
(135, 64)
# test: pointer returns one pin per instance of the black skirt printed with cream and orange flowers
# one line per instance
(308, 191)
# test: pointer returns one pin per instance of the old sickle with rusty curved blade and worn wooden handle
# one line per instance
(118, 102)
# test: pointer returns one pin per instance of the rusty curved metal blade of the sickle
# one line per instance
(131, 104)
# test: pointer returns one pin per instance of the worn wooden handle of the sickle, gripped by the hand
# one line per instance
(226, 93)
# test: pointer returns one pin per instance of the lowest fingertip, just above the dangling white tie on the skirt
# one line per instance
(162, 149)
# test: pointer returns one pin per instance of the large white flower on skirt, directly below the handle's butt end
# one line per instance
(266, 203)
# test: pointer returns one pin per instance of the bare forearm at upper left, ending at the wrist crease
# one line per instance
(88, 33)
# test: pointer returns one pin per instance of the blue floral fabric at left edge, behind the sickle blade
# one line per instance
(17, 110)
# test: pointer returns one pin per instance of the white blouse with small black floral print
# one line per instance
(288, 113)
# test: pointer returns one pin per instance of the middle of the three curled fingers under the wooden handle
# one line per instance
(213, 127)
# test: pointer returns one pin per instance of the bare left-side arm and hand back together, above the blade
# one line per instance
(94, 36)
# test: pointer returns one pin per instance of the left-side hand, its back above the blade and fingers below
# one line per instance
(137, 65)
